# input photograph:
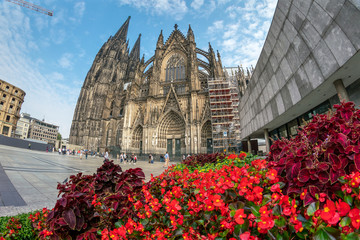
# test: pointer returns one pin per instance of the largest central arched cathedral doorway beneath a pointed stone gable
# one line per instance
(171, 134)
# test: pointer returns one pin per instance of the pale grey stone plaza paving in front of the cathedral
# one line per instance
(28, 179)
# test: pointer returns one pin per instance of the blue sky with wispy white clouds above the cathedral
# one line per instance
(49, 56)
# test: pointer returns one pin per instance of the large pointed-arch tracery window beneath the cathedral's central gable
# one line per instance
(175, 69)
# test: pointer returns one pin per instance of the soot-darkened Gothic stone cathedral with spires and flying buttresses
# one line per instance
(131, 105)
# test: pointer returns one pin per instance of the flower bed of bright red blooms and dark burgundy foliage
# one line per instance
(307, 188)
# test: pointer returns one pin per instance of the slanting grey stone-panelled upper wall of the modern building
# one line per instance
(308, 42)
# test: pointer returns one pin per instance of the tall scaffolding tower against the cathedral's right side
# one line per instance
(224, 106)
